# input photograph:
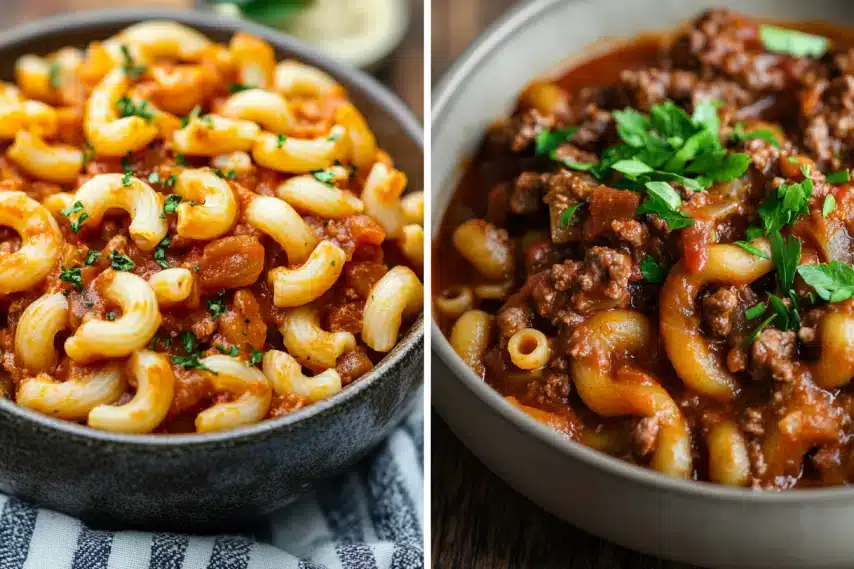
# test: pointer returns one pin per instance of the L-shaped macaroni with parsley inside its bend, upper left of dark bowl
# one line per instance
(109, 134)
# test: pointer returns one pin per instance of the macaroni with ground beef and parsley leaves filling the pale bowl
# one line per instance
(653, 254)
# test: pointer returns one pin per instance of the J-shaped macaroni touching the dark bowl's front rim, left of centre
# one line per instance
(155, 387)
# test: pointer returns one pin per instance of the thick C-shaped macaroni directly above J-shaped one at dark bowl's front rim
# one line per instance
(99, 339)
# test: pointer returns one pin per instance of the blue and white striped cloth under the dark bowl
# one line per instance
(371, 518)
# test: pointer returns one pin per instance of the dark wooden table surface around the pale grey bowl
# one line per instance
(478, 521)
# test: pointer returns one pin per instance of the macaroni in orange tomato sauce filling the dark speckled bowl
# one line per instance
(196, 236)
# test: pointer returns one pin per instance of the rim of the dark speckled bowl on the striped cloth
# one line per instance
(76, 22)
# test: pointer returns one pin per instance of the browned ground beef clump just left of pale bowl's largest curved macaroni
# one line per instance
(599, 282)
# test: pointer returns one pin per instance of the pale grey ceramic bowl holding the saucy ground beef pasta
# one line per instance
(695, 522)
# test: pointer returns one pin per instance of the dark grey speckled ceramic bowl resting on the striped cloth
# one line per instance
(196, 482)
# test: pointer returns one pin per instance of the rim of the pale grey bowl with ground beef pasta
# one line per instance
(501, 31)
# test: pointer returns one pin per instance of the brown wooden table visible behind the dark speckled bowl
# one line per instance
(404, 72)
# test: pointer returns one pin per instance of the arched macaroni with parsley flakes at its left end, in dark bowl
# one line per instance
(108, 191)
